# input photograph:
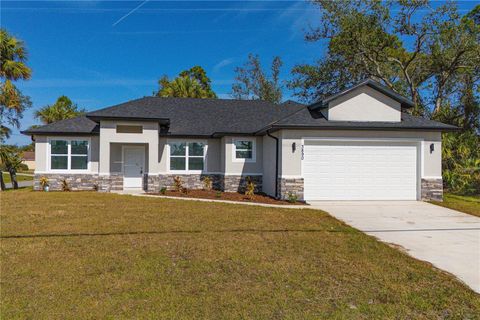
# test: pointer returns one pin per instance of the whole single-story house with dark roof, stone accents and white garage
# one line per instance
(359, 144)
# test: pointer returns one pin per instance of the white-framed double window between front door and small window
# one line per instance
(187, 156)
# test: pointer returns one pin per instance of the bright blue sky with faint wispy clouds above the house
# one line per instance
(100, 53)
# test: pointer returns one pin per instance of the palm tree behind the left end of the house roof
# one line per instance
(62, 109)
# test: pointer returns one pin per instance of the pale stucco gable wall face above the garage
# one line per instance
(364, 104)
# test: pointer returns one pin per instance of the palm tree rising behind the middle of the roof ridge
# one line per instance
(184, 87)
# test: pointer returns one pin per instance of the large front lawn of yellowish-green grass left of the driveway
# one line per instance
(92, 255)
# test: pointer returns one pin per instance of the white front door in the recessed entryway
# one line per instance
(133, 167)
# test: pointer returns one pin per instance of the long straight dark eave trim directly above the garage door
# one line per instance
(279, 127)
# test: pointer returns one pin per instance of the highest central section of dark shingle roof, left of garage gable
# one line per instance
(202, 117)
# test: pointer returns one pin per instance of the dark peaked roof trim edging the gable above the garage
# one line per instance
(405, 102)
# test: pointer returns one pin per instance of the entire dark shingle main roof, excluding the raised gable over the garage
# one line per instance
(217, 117)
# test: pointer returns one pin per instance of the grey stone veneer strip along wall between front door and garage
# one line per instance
(195, 181)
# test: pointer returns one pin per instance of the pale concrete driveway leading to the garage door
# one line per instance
(448, 239)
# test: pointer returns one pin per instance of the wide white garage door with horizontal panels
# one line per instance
(359, 171)
